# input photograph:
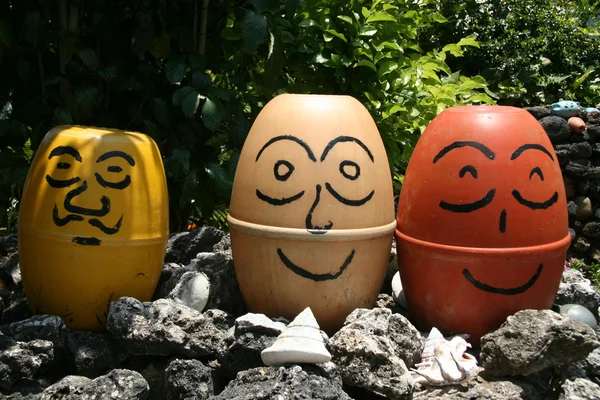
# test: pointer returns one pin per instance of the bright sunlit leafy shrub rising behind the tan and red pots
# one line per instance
(370, 50)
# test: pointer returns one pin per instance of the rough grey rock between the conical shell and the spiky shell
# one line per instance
(367, 358)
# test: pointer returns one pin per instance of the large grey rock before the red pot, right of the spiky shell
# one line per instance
(532, 340)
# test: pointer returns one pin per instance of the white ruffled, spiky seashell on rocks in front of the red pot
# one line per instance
(445, 362)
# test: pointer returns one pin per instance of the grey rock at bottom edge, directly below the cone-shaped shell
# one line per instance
(281, 383)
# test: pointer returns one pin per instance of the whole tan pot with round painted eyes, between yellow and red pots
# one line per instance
(312, 211)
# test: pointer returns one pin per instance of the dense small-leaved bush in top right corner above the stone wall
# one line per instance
(531, 51)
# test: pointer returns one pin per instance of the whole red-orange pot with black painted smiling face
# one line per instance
(482, 225)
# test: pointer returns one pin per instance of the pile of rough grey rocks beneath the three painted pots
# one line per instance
(169, 349)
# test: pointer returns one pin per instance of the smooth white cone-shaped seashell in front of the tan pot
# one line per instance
(300, 343)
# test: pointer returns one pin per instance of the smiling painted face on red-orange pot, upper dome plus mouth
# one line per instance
(492, 190)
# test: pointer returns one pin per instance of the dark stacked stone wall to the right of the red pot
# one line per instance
(578, 153)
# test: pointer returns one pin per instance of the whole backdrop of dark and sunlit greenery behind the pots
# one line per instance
(193, 74)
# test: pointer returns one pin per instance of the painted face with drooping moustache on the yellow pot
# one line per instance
(91, 180)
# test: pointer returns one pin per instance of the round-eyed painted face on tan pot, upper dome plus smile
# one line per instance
(318, 166)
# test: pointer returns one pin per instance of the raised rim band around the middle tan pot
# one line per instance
(339, 235)
